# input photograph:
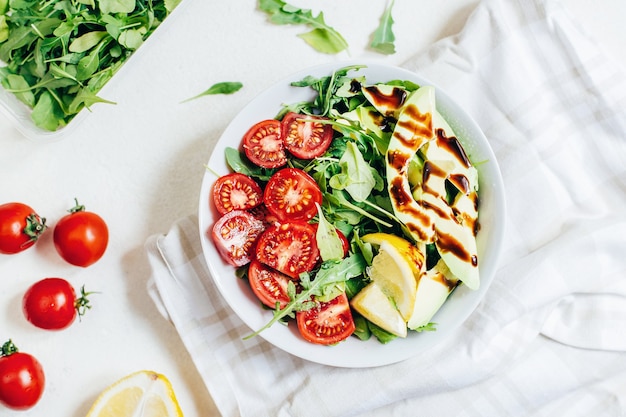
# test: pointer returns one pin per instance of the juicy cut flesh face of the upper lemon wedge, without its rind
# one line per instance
(394, 273)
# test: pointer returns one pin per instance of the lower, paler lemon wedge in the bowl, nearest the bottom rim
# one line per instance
(374, 305)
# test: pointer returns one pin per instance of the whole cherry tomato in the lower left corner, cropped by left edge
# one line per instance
(22, 379)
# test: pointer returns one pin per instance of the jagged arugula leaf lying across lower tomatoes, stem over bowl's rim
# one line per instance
(329, 275)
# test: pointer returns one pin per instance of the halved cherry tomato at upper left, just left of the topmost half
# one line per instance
(263, 144)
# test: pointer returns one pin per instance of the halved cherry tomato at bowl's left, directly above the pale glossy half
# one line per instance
(236, 191)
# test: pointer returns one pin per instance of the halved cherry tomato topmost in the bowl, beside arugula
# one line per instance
(304, 136)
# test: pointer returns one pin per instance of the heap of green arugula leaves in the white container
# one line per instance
(60, 53)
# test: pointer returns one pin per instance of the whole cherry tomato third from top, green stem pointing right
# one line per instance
(52, 304)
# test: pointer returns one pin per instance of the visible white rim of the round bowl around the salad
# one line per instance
(353, 352)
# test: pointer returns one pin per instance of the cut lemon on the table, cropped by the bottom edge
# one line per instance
(141, 394)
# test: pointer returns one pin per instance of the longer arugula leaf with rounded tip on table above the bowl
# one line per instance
(322, 37)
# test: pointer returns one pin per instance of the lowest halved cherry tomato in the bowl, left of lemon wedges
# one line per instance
(328, 323)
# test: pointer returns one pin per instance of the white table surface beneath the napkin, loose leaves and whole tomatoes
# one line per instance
(139, 164)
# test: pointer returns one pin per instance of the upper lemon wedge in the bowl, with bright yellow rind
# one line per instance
(395, 269)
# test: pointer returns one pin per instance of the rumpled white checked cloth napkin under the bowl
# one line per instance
(550, 336)
